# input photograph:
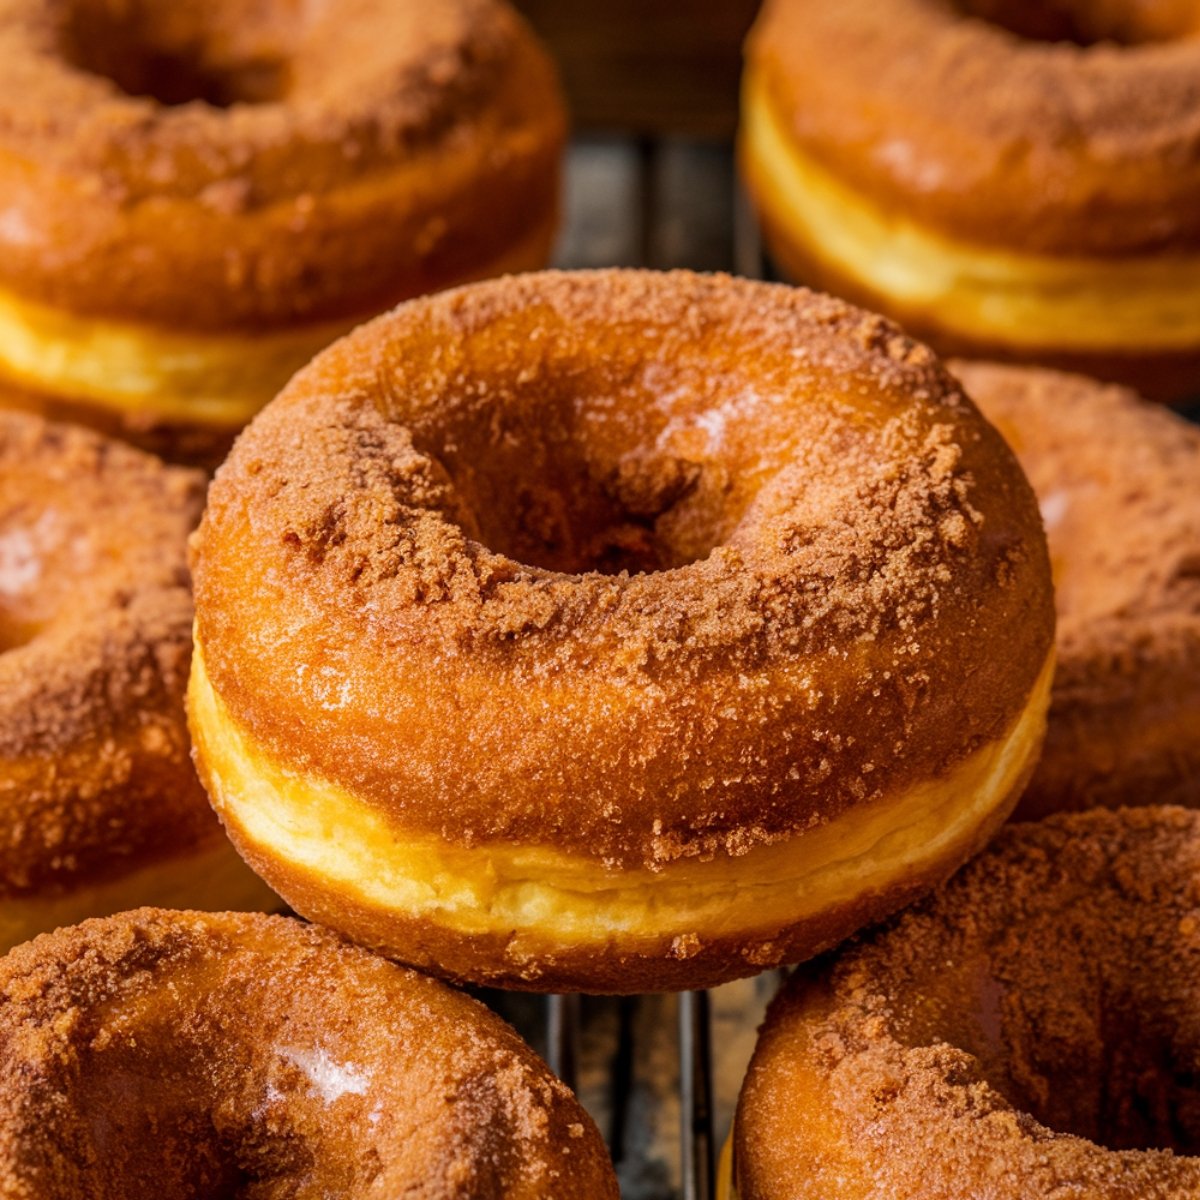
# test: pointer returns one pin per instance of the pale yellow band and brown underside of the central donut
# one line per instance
(553, 921)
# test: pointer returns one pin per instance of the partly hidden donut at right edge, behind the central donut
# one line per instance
(1119, 483)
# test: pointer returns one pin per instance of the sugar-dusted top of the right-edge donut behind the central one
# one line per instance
(1119, 482)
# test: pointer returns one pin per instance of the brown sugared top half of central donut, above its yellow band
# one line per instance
(592, 543)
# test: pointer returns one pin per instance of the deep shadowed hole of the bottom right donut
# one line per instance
(1090, 1027)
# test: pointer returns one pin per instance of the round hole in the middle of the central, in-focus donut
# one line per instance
(579, 472)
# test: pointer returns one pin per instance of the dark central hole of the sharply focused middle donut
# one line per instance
(562, 483)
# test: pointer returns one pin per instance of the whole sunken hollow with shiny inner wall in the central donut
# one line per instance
(638, 463)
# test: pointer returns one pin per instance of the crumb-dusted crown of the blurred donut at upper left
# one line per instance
(359, 82)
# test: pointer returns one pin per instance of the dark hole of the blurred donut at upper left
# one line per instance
(218, 55)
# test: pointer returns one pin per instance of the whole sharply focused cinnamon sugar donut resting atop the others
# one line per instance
(617, 632)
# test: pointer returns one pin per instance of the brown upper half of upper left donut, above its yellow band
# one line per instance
(128, 130)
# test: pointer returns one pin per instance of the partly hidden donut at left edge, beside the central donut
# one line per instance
(100, 807)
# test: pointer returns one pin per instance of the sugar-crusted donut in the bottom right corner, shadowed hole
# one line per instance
(1034, 1030)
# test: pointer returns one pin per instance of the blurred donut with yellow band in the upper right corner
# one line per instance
(1009, 179)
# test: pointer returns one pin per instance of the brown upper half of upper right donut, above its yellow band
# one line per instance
(1067, 129)
